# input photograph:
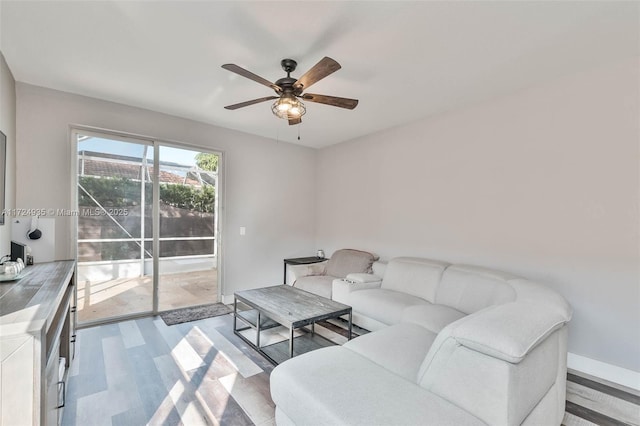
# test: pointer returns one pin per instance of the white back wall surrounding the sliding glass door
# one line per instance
(266, 183)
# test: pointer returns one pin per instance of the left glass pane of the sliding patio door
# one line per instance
(114, 220)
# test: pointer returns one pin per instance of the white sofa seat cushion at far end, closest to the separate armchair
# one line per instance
(383, 305)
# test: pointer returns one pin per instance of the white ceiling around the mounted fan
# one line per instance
(402, 60)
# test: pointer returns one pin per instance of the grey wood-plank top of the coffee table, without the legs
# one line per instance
(291, 306)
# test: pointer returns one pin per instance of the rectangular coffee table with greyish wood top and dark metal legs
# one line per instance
(287, 306)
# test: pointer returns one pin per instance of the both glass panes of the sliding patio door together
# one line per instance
(147, 227)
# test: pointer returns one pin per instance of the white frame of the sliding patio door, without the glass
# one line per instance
(156, 143)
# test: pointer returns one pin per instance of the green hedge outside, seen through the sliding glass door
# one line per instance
(122, 192)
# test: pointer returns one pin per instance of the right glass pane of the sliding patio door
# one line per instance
(187, 243)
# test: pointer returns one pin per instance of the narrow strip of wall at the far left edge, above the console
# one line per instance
(8, 127)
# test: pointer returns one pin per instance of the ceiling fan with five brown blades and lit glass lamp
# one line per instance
(289, 90)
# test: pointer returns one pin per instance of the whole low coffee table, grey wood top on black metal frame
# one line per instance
(287, 306)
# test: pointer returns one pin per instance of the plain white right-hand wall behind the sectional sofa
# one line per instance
(543, 183)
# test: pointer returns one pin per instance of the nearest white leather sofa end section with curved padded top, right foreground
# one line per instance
(516, 350)
